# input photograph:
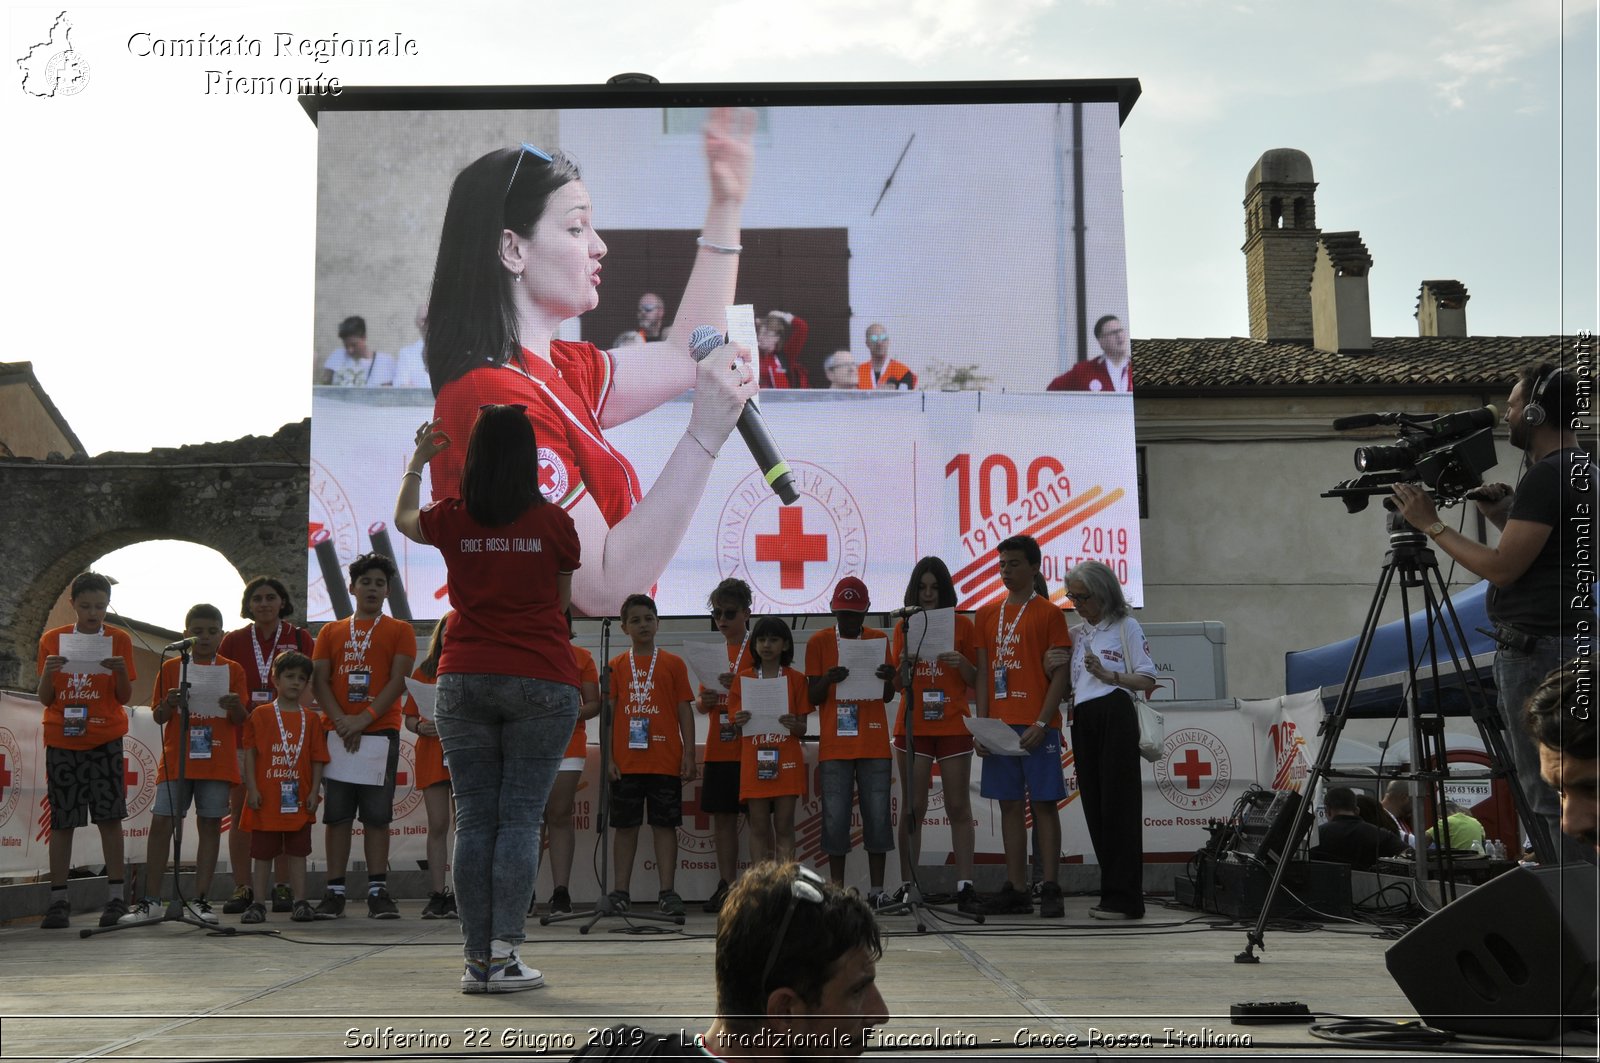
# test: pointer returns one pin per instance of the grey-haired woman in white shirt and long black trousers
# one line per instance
(1111, 665)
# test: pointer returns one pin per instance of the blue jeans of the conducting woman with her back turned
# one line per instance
(503, 739)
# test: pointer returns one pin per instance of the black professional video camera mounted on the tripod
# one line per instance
(1447, 454)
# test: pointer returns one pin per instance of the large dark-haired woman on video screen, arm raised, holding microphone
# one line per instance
(518, 257)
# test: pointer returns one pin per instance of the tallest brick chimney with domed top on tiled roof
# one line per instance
(1281, 246)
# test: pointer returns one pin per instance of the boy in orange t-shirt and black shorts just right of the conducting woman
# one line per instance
(652, 752)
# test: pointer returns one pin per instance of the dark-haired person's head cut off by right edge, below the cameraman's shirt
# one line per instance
(1569, 755)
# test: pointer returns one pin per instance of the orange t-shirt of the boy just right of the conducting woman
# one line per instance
(646, 737)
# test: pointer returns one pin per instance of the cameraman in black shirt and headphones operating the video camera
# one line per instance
(1542, 616)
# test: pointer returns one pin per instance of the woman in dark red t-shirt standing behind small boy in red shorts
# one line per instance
(255, 648)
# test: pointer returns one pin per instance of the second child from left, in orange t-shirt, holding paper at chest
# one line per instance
(199, 764)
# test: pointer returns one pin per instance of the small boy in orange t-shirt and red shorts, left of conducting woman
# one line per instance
(286, 753)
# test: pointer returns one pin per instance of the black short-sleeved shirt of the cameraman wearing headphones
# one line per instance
(1550, 600)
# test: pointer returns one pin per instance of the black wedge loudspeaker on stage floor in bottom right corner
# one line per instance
(1514, 958)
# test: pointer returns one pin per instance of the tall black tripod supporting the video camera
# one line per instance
(1414, 563)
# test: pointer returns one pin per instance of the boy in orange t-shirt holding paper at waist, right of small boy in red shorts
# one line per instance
(361, 668)
